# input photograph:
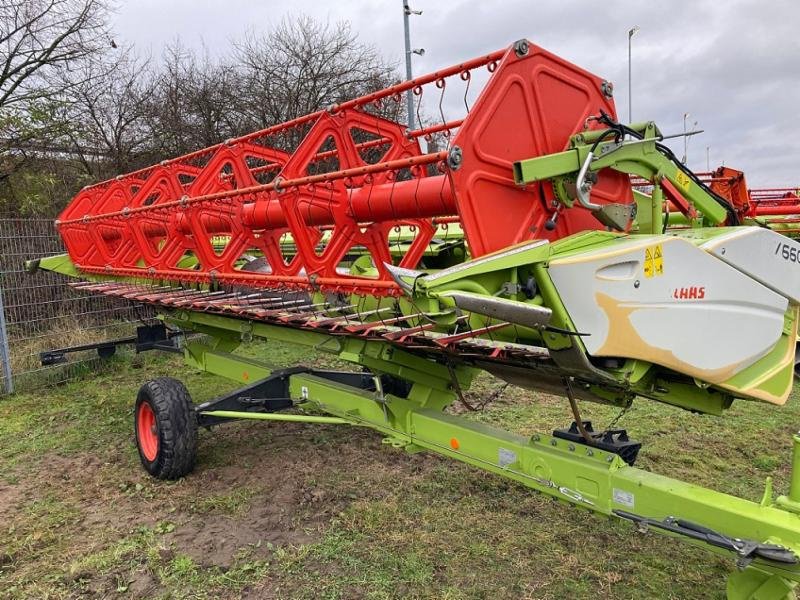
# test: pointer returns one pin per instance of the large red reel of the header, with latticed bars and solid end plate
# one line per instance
(350, 176)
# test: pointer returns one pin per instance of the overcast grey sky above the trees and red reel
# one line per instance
(733, 65)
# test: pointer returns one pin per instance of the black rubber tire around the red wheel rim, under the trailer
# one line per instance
(176, 425)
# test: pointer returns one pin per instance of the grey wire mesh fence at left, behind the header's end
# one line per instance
(42, 312)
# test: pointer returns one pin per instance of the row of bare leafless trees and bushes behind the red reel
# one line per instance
(78, 109)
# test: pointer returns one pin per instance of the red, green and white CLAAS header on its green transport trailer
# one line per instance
(516, 244)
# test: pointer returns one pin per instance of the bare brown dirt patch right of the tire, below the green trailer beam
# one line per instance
(297, 493)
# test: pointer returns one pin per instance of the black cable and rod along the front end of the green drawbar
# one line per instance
(746, 550)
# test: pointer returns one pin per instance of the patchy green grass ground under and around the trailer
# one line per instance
(296, 511)
